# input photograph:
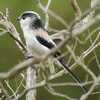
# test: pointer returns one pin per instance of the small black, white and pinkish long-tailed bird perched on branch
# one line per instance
(38, 41)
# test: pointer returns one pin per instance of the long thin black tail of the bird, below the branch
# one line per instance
(76, 78)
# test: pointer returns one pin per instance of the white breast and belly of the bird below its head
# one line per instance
(33, 45)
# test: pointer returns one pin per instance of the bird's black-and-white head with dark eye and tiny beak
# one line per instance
(30, 19)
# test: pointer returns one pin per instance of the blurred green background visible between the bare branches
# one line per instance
(10, 55)
